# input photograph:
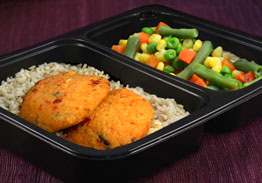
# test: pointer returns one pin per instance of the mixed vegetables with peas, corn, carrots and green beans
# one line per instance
(179, 52)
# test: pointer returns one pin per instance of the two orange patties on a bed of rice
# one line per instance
(82, 105)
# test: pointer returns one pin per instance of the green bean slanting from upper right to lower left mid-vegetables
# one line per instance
(204, 51)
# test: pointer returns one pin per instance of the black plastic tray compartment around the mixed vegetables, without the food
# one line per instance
(121, 26)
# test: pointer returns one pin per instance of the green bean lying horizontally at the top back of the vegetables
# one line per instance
(180, 33)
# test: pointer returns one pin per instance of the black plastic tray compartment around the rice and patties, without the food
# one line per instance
(70, 162)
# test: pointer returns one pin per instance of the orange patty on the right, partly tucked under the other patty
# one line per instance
(122, 117)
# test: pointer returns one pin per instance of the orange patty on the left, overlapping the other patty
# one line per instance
(63, 100)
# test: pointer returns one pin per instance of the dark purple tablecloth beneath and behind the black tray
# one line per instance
(228, 157)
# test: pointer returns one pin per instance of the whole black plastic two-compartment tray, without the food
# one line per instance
(91, 45)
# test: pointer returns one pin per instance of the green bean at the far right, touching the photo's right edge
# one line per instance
(244, 65)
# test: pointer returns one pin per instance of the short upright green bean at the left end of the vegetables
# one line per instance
(132, 46)
